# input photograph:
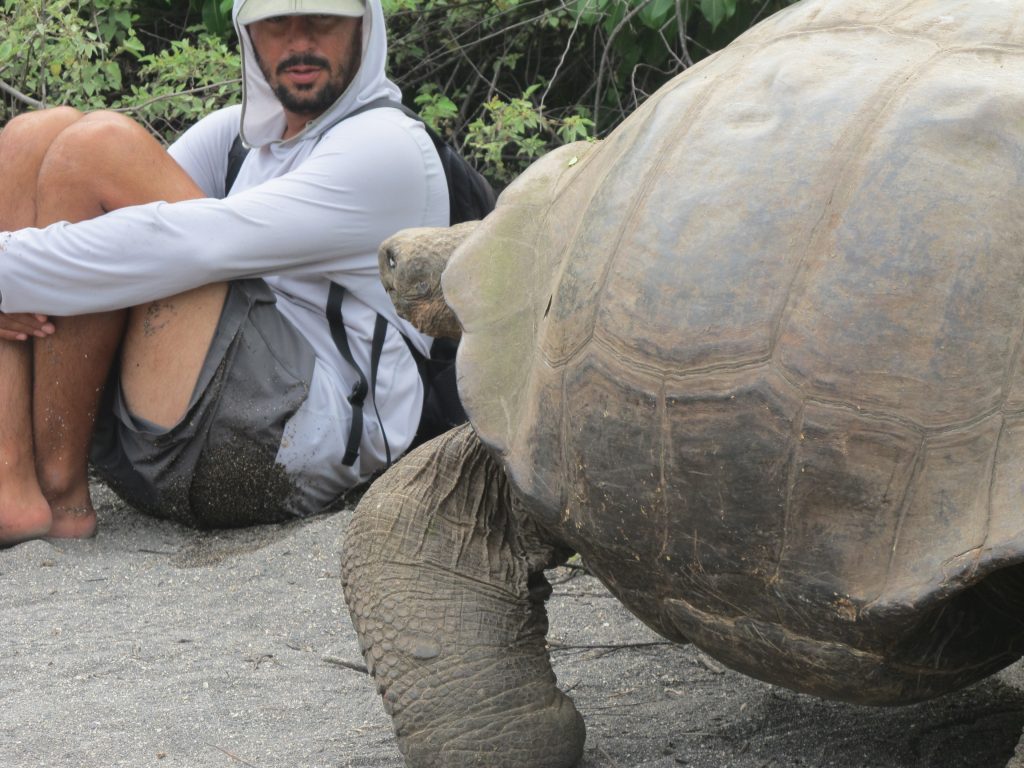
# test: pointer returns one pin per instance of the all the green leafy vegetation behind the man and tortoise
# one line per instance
(506, 80)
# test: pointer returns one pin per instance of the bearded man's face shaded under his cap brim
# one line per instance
(309, 60)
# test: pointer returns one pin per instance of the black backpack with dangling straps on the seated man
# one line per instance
(471, 198)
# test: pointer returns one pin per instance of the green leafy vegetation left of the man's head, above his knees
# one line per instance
(165, 70)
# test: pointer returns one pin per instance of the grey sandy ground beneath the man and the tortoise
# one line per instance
(155, 646)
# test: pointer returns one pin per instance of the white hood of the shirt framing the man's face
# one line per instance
(263, 115)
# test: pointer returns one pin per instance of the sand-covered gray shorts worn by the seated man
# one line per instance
(217, 467)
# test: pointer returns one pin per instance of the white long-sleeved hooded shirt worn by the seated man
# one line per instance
(303, 214)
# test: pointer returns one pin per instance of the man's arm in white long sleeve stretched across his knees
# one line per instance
(358, 186)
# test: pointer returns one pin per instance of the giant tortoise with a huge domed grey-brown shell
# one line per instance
(759, 359)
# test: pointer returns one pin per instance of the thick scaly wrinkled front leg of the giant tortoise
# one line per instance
(446, 588)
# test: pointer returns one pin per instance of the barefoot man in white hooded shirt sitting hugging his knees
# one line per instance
(229, 326)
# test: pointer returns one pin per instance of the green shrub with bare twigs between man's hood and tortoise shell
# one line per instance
(515, 78)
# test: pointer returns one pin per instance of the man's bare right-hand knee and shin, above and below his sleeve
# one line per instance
(102, 163)
